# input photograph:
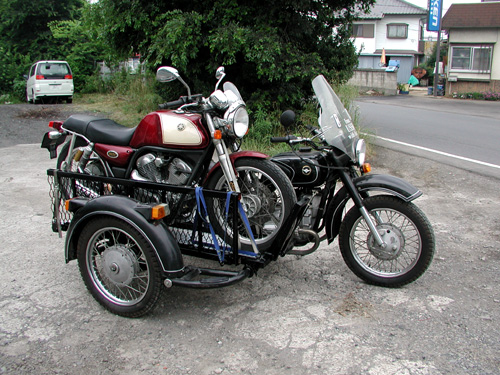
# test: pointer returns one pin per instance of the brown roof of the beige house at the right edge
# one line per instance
(472, 15)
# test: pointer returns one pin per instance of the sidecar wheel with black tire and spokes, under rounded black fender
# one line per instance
(119, 267)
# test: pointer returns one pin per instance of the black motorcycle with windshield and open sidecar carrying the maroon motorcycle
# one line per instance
(130, 235)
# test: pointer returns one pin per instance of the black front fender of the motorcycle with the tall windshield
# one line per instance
(373, 182)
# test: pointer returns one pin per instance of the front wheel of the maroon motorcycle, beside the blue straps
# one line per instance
(267, 198)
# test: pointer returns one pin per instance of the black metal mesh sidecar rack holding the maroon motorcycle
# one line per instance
(191, 233)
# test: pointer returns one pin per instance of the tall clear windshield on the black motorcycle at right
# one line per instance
(334, 120)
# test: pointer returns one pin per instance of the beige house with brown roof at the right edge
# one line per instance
(473, 47)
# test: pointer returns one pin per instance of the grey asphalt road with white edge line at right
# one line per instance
(456, 132)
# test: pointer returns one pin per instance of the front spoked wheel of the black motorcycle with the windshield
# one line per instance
(404, 226)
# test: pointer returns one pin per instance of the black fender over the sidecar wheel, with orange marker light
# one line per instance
(165, 246)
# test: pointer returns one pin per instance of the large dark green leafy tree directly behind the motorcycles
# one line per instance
(271, 49)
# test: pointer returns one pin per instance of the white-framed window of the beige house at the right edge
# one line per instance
(473, 58)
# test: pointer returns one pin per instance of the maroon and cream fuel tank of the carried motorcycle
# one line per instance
(171, 130)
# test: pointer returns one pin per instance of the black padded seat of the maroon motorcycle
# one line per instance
(100, 130)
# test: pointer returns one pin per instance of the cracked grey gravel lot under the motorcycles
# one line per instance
(297, 316)
